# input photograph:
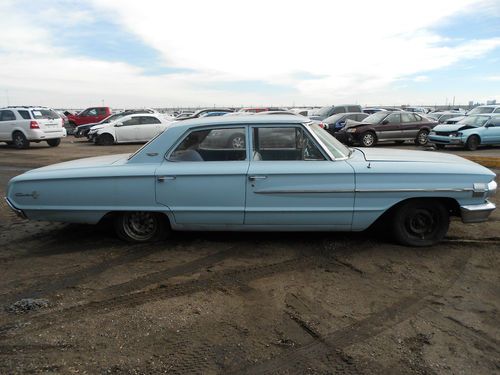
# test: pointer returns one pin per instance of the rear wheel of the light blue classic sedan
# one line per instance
(141, 226)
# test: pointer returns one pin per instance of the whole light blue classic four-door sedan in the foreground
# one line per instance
(288, 175)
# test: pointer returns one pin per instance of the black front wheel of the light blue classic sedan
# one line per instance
(420, 223)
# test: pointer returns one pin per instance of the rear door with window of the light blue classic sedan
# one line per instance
(203, 179)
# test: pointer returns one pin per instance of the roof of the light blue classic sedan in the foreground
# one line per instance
(241, 120)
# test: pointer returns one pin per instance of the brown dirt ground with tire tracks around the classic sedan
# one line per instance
(251, 303)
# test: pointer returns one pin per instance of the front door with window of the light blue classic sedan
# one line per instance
(291, 181)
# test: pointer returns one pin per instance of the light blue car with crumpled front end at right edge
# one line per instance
(471, 132)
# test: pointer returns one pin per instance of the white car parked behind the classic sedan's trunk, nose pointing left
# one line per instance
(140, 127)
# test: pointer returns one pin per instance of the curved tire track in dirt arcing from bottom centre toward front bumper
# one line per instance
(359, 331)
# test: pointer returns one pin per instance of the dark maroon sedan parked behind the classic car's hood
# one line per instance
(387, 126)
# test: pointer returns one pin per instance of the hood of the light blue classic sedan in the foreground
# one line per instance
(393, 155)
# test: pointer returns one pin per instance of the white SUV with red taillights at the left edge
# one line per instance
(21, 125)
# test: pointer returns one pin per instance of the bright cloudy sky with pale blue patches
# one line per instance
(149, 53)
